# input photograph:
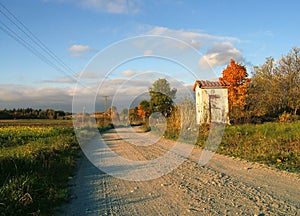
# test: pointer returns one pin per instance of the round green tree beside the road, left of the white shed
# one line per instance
(162, 97)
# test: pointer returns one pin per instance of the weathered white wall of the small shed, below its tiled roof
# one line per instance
(211, 105)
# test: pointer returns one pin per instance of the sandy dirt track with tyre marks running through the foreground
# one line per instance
(225, 186)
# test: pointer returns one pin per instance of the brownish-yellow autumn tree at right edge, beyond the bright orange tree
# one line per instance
(275, 86)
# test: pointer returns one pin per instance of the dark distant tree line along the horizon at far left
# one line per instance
(29, 113)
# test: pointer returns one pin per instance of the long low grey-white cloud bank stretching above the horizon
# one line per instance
(122, 92)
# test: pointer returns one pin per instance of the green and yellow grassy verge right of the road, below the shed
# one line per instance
(275, 144)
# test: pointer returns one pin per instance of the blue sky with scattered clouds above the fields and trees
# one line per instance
(76, 30)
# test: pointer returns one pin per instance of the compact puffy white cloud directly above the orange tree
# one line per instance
(220, 54)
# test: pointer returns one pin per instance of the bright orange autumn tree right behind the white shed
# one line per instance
(236, 75)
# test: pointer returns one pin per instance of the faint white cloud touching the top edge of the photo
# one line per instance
(106, 6)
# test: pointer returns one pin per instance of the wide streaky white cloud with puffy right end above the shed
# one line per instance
(217, 50)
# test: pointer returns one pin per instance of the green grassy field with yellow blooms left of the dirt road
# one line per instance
(36, 160)
